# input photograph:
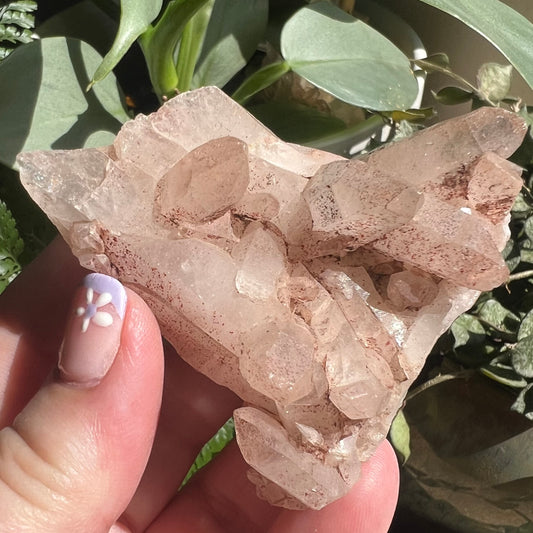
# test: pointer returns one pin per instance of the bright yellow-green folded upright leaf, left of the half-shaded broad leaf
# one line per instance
(159, 44)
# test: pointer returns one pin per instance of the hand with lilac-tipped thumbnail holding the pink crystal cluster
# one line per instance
(102, 442)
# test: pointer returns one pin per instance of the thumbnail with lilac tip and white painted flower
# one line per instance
(93, 331)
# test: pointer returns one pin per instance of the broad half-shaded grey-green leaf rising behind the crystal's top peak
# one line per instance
(234, 31)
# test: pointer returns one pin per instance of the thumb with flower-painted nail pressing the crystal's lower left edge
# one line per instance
(73, 457)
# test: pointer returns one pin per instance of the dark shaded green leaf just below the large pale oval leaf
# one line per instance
(296, 123)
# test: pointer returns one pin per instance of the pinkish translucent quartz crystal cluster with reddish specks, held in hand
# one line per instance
(310, 285)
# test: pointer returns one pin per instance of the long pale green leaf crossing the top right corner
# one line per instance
(506, 29)
